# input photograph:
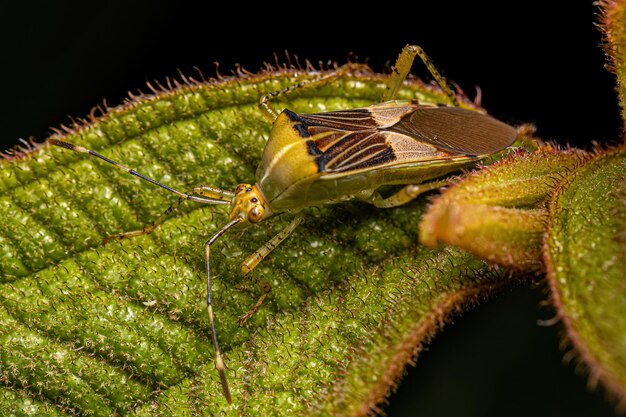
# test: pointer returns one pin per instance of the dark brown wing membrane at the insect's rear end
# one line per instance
(456, 130)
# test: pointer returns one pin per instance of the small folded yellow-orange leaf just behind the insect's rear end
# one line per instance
(499, 213)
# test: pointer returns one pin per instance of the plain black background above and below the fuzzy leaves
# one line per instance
(533, 64)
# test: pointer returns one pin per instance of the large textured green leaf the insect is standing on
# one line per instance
(123, 329)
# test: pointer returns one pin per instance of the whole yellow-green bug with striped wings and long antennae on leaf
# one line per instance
(314, 159)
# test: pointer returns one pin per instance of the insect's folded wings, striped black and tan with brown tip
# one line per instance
(392, 134)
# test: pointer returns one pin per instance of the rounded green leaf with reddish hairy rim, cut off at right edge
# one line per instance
(585, 254)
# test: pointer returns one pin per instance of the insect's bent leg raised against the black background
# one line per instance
(402, 68)
